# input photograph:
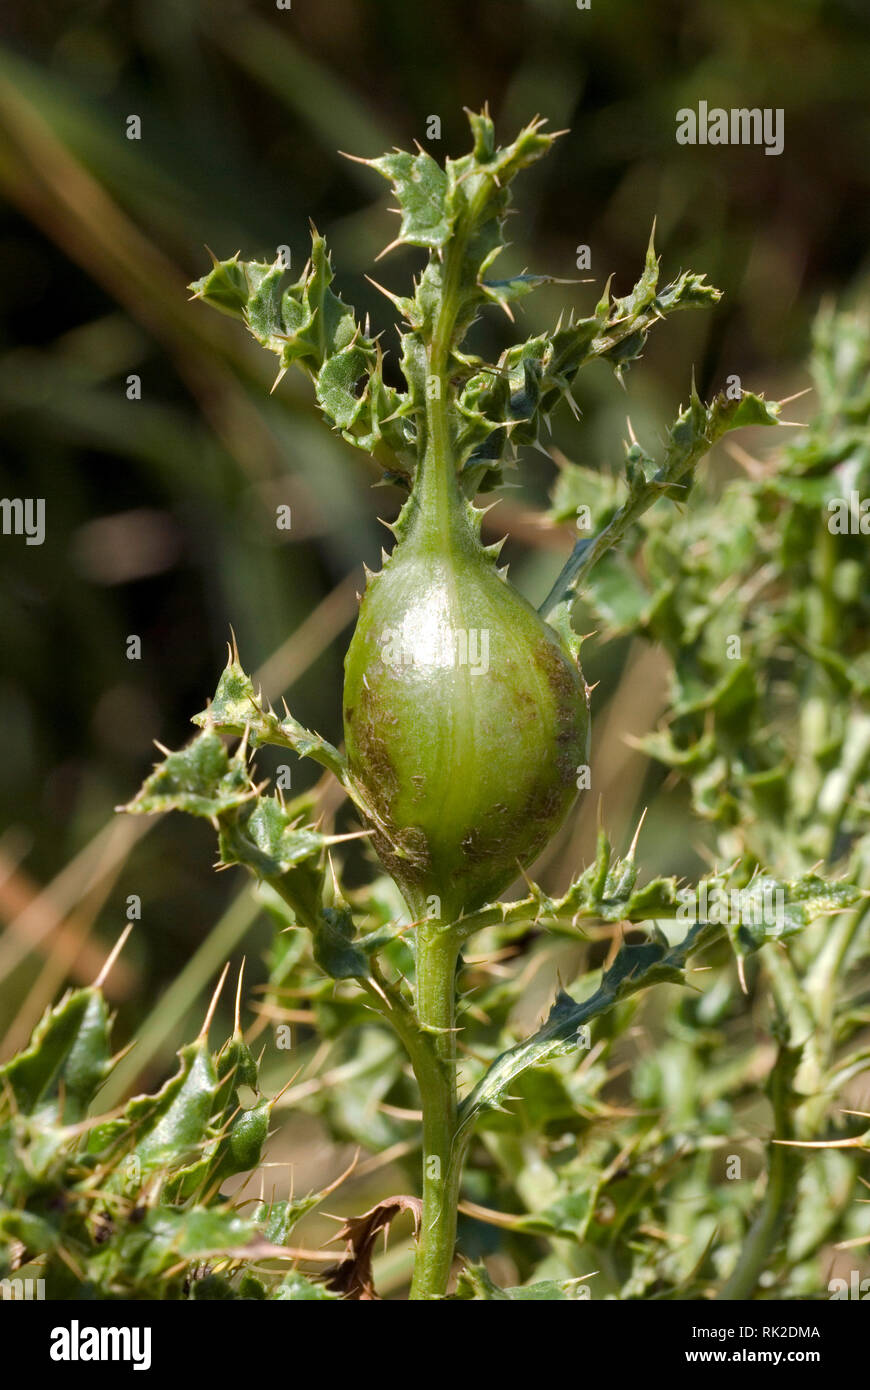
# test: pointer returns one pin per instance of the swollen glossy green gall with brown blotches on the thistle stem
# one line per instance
(465, 717)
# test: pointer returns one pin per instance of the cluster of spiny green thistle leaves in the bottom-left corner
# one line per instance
(130, 1206)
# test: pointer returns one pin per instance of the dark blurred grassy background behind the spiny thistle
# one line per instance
(162, 511)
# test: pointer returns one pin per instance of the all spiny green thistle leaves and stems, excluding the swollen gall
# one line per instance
(582, 1146)
